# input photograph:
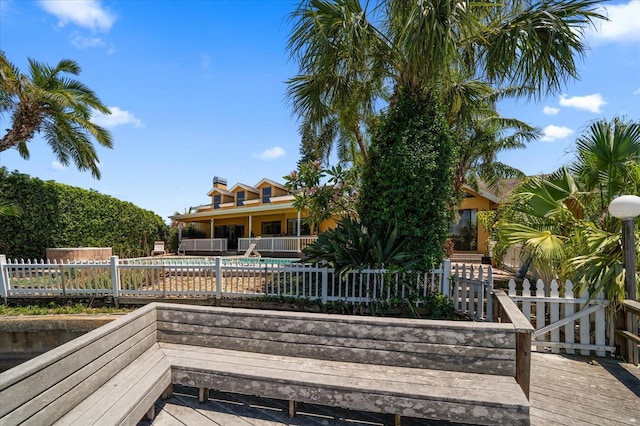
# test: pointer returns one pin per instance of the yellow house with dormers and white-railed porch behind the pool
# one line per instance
(263, 215)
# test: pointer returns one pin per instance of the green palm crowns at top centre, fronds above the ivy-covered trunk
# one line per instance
(354, 57)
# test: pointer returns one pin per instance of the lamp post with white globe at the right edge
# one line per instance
(627, 208)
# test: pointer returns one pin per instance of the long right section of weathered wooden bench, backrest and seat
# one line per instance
(450, 370)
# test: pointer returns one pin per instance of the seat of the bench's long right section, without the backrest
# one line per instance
(412, 392)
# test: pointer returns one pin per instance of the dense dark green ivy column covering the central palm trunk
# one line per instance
(408, 177)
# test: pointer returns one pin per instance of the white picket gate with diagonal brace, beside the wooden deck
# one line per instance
(564, 321)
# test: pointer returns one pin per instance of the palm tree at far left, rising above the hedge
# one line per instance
(60, 108)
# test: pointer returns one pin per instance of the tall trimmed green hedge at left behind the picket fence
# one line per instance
(57, 215)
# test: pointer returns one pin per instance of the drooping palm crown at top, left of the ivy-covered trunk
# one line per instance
(342, 70)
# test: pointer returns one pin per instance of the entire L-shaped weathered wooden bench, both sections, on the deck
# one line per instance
(455, 371)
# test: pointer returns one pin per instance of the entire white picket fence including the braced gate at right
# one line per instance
(563, 322)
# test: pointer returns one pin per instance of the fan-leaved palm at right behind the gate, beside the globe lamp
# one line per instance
(561, 220)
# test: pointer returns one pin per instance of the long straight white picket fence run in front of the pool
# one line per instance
(211, 278)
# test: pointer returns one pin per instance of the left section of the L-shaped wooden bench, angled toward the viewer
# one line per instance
(112, 375)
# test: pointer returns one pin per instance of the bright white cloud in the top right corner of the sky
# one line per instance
(623, 24)
